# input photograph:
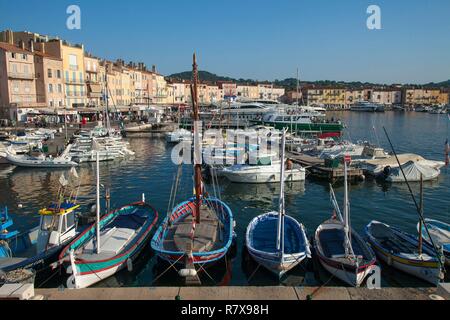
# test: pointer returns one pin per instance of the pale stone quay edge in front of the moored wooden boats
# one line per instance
(244, 293)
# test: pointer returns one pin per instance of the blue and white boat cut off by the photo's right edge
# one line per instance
(440, 233)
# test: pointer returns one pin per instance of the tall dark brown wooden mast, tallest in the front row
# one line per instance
(197, 151)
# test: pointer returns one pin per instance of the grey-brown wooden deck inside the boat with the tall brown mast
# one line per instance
(206, 234)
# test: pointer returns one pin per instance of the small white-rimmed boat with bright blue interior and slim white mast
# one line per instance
(289, 247)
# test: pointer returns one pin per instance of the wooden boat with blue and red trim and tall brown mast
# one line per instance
(199, 231)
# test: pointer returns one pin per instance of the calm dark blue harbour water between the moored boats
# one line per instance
(152, 172)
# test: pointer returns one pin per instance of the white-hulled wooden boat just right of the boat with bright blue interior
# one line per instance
(340, 249)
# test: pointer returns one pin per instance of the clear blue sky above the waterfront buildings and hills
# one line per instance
(259, 39)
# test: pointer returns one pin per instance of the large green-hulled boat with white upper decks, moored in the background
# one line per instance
(305, 122)
